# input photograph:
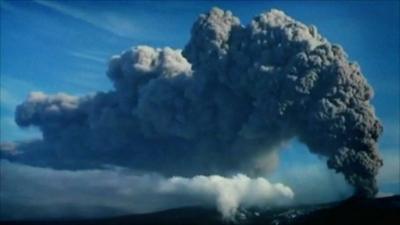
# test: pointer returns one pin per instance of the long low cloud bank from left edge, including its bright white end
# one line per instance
(94, 193)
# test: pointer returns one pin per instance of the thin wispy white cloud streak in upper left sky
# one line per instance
(109, 21)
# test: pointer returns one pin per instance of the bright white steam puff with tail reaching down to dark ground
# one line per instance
(231, 193)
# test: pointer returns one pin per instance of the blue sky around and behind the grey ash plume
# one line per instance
(65, 45)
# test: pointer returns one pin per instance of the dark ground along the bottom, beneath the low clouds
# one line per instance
(382, 211)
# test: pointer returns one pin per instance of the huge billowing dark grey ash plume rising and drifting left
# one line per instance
(224, 104)
